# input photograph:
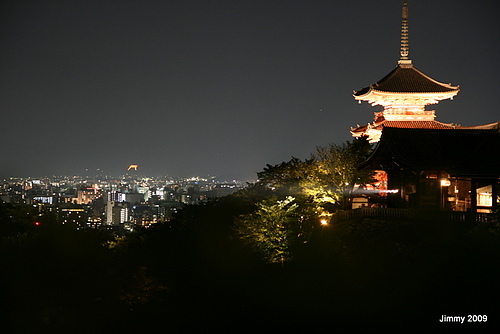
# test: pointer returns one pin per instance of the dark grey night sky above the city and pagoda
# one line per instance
(219, 87)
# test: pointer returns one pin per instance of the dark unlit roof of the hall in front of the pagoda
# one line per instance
(460, 152)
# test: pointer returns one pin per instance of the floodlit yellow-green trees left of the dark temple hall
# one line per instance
(311, 189)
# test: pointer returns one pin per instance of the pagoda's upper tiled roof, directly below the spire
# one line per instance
(405, 78)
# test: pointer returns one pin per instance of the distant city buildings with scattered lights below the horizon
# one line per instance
(120, 202)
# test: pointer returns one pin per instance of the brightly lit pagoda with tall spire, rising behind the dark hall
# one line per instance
(403, 93)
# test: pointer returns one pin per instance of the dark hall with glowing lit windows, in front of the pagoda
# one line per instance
(439, 169)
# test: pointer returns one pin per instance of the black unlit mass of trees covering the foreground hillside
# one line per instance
(193, 275)
